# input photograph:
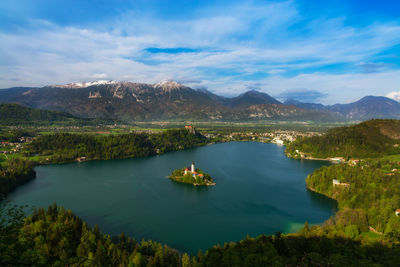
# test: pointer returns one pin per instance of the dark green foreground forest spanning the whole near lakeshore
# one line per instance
(56, 237)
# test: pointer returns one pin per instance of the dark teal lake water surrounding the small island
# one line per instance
(259, 191)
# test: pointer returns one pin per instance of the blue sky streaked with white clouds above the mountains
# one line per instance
(320, 51)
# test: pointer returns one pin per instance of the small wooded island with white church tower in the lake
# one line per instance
(192, 175)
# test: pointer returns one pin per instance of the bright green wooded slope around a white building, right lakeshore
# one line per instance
(368, 194)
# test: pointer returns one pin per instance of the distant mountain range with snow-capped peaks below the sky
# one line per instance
(170, 100)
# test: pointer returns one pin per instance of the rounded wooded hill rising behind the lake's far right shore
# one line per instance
(372, 138)
